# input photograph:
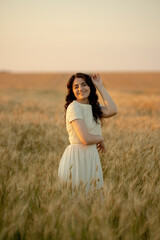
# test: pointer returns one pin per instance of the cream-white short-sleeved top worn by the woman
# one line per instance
(78, 110)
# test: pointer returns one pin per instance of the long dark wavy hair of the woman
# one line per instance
(93, 97)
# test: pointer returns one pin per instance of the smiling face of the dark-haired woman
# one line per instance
(80, 89)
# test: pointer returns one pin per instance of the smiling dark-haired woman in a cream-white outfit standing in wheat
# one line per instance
(80, 161)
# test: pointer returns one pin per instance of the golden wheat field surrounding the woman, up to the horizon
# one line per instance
(33, 138)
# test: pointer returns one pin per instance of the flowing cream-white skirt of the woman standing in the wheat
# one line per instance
(81, 163)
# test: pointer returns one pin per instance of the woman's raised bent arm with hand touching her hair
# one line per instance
(110, 107)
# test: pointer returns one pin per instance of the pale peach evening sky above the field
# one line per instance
(79, 35)
